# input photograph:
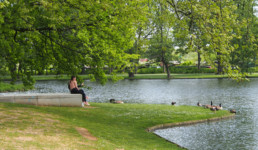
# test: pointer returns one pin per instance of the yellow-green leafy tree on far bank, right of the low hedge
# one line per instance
(210, 24)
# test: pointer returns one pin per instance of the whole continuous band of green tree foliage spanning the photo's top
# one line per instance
(68, 35)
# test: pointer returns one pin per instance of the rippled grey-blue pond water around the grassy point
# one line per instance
(239, 133)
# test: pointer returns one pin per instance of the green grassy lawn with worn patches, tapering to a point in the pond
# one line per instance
(116, 126)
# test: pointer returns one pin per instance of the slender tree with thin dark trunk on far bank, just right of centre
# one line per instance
(161, 42)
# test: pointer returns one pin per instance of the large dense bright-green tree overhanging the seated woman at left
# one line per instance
(66, 34)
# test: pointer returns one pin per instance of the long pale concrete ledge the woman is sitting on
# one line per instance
(44, 99)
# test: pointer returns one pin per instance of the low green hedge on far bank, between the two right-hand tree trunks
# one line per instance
(191, 70)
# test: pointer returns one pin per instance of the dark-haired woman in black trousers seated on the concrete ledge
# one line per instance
(75, 90)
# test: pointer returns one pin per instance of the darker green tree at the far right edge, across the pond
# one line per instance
(246, 43)
